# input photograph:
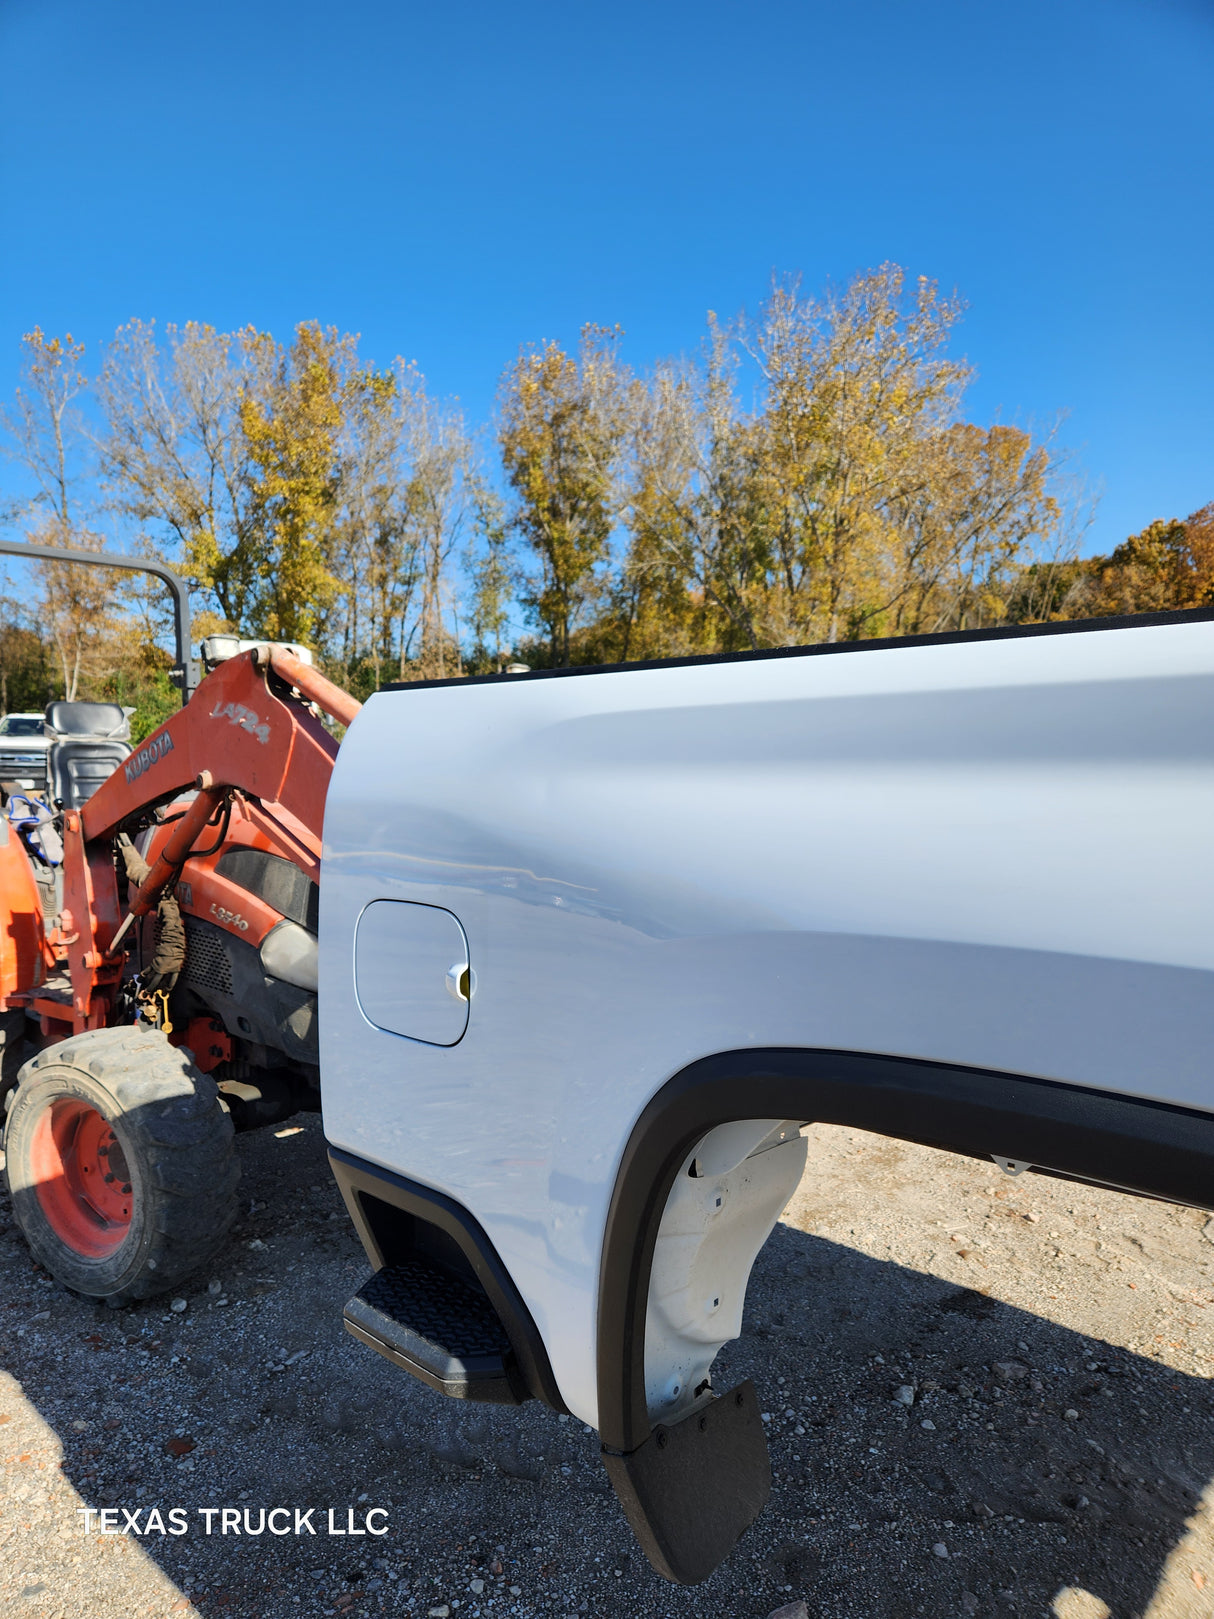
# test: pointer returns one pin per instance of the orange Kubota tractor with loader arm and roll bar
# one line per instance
(169, 996)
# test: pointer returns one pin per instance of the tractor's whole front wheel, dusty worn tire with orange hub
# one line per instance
(121, 1163)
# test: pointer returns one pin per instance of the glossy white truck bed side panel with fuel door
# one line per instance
(983, 852)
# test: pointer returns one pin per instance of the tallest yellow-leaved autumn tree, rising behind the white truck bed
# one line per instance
(859, 391)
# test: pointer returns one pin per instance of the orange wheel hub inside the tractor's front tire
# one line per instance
(82, 1178)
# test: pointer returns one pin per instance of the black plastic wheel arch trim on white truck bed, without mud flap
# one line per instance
(1127, 1142)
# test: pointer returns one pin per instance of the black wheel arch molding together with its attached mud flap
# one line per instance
(1131, 1144)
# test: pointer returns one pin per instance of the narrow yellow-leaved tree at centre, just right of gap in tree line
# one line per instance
(562, 427)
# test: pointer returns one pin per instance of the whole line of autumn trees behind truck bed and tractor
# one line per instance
(807, 475)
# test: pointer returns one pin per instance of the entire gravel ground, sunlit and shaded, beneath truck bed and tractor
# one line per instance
(987, 1396)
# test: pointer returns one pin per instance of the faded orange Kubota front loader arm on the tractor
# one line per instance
(248, 731)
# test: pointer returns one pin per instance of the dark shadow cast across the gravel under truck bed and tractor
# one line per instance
(255, 1398)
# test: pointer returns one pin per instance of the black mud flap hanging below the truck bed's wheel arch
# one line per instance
(694, 1489)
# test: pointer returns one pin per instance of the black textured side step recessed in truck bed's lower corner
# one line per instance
(441, 1328)
